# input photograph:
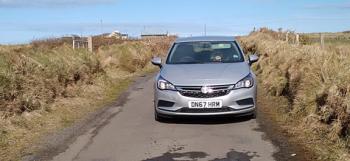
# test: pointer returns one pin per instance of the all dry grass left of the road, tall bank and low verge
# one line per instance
(46, 85)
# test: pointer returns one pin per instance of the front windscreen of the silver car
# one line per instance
(205, 52)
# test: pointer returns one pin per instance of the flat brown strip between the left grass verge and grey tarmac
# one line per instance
(59, 141)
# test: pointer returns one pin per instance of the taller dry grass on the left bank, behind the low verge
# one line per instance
(33, 76)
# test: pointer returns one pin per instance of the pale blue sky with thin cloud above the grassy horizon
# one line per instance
(25, 20)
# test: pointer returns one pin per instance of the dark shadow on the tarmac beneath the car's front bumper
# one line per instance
(207, 120)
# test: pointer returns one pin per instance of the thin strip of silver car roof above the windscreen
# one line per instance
(205, 38)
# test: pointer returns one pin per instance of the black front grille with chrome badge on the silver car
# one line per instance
(195, 91)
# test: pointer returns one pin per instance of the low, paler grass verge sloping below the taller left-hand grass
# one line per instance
(27, 129)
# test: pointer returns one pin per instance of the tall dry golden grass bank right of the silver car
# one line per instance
(314, 82)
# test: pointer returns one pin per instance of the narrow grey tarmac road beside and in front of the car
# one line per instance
(132, 134)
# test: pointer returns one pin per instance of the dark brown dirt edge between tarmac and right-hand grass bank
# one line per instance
(290, 149)
